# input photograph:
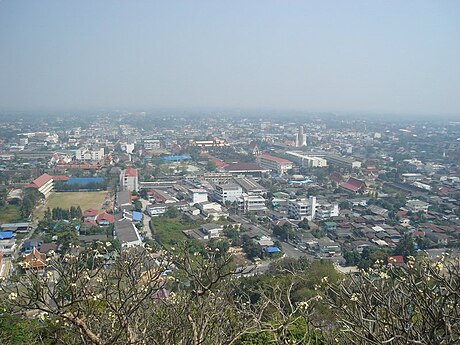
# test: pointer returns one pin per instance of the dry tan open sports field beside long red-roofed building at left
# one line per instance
(67, 199)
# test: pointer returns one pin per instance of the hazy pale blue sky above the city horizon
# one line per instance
(379, 56)
